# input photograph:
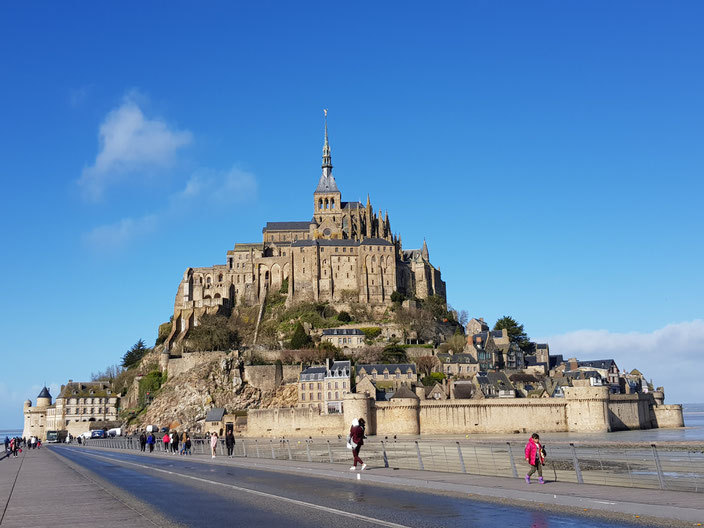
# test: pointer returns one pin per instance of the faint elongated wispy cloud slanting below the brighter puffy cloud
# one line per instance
(205, 190)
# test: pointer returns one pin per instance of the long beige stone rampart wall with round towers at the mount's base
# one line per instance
(583, 409)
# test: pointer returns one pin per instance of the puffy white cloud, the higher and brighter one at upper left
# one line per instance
(130, 143)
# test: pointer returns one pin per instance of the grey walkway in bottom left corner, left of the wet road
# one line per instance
(38, 489)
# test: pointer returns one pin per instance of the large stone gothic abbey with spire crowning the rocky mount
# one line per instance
(344, 253)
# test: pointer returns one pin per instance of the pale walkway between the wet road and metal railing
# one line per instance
(627, 503)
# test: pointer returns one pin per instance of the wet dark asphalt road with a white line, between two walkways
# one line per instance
(194, 493)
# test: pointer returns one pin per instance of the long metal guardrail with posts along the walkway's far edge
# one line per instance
(637, 467)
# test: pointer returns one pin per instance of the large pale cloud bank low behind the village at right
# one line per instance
(670, 355)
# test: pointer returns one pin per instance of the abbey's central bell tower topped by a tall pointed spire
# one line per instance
(327, 207)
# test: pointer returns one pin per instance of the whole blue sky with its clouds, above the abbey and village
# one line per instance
(550, 153)
